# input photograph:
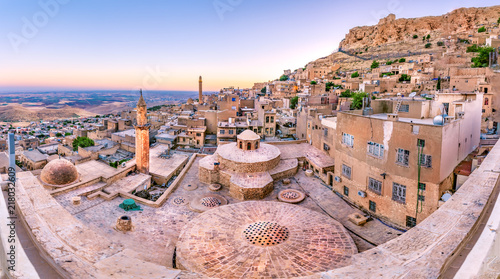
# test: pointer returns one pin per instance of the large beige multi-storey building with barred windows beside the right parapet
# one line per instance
(398, 166)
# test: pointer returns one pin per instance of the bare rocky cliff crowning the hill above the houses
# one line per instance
(390, 29)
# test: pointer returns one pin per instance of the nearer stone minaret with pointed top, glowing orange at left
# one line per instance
(142, 137)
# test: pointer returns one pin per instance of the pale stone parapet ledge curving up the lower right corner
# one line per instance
(427, 250)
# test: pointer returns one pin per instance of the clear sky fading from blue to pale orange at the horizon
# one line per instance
(166, 45)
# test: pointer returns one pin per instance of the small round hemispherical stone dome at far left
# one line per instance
(59, 172)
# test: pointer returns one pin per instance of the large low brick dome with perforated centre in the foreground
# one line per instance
(263, 240)
